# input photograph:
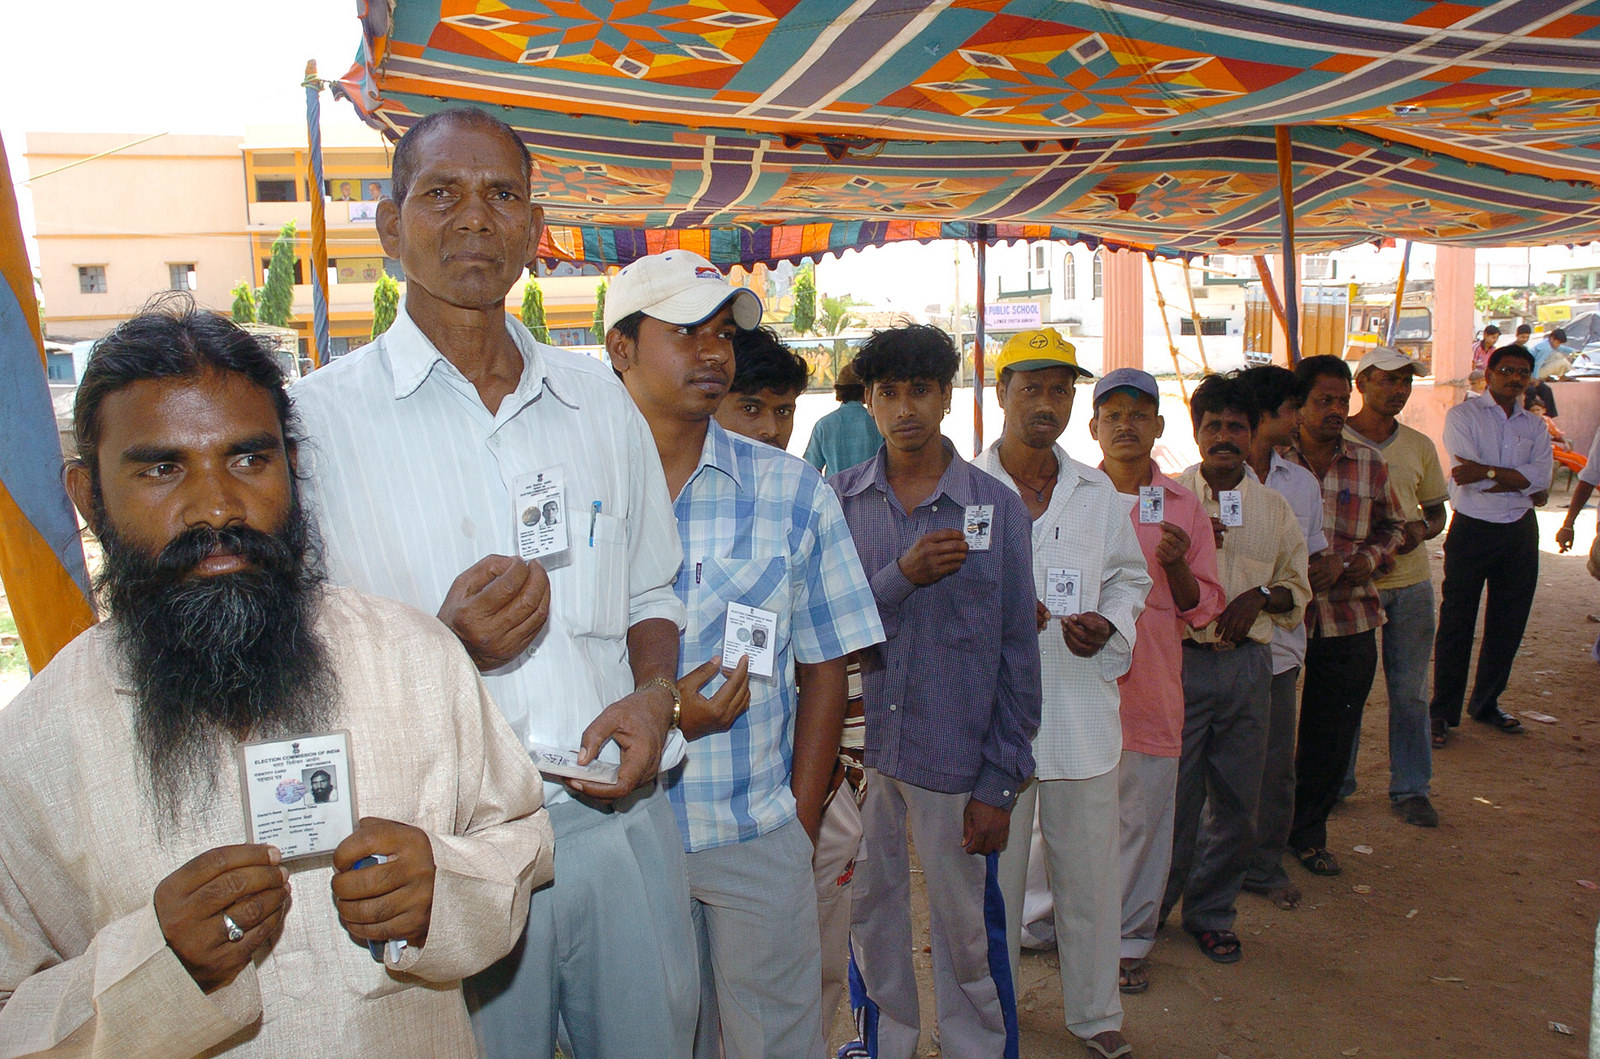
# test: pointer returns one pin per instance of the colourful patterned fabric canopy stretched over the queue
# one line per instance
(762, 130)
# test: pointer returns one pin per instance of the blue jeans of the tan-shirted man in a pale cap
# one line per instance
(1409, 650)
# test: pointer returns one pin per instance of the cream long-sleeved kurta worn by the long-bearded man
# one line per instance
(84, 965)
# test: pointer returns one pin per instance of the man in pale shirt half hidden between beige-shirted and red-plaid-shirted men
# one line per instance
(1278, 396)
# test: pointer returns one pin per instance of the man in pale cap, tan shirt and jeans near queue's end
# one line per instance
(1406, 591)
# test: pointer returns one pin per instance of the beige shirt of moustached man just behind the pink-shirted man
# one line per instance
(1270, 551)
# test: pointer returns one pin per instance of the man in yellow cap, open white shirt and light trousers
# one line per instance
(1090, 573)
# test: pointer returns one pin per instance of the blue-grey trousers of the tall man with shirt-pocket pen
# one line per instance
(609, 945)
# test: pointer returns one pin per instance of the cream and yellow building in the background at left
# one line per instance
(201, 214)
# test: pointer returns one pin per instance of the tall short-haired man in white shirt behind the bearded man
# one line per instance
(426, 449)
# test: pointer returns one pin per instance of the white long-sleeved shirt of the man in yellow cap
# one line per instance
(1084, 529)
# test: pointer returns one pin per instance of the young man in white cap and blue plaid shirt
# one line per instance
(774, 594)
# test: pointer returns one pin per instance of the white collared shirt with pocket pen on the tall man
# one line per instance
(412, 482)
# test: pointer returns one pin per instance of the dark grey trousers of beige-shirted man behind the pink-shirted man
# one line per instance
(1228, 700)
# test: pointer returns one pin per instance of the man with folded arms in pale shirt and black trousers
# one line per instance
(1500, 462)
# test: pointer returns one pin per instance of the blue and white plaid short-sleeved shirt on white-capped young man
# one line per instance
(761, 529)
